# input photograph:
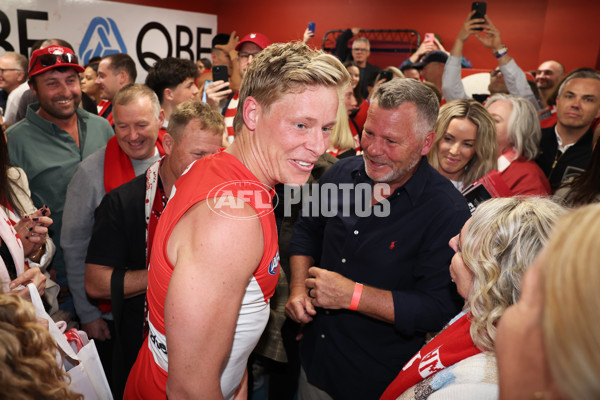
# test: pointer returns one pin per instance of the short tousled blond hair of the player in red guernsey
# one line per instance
(283, 68)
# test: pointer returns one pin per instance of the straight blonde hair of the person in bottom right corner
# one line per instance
(571, 311)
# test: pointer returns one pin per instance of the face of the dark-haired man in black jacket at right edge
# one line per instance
(578, 103)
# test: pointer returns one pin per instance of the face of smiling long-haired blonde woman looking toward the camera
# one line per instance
(456, 148)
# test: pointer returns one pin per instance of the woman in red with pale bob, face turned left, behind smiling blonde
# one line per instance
(518, 135)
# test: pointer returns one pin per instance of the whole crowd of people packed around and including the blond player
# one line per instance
(374, 257)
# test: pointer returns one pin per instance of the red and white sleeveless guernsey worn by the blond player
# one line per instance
(148, 377)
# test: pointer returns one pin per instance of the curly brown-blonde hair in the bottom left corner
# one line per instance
(28, 367)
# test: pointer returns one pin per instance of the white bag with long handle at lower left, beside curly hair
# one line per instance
(88, 376)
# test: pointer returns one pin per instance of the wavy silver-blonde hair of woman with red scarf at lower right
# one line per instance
(502, 240)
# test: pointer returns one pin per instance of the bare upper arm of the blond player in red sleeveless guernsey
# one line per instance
(214, 258)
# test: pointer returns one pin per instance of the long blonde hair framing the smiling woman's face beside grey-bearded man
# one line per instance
(485, 158)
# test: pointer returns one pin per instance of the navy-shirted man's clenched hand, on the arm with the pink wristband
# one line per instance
(329, 289)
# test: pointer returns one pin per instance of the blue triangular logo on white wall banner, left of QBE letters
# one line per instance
(101, 39)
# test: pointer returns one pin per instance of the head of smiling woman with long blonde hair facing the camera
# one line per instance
(465, 143)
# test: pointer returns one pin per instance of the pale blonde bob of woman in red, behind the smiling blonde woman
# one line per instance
(524, 130)
